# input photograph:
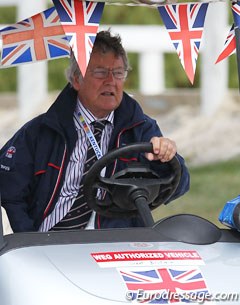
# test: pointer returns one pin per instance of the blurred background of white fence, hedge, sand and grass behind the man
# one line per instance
(202, 118)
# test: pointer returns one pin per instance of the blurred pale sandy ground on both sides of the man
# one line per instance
(200, 139)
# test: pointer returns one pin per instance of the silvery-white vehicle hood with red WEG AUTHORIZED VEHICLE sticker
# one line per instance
(115, 273)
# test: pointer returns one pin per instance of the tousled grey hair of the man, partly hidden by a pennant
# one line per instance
(105, 42)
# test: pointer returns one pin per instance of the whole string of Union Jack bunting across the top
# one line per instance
(73, 25)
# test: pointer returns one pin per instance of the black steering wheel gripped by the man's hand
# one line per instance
(137, 184)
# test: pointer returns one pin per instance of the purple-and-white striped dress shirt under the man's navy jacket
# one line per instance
(75, 166)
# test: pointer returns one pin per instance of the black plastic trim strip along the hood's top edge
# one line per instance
(21, 240)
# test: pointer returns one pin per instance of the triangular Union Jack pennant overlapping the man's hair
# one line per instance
(80, 21)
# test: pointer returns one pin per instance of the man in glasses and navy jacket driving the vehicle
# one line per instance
(42, 166)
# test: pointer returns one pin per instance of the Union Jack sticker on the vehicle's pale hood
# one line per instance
(165, 285)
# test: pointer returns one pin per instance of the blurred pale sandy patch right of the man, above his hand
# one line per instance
(204, 139)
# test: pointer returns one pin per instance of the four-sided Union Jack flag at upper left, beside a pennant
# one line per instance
(37, 38)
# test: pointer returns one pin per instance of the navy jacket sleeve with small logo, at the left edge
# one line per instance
(16, 175)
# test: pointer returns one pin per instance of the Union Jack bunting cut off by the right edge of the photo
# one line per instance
(230, 42)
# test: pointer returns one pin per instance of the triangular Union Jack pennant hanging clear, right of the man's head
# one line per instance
(184, 23)
